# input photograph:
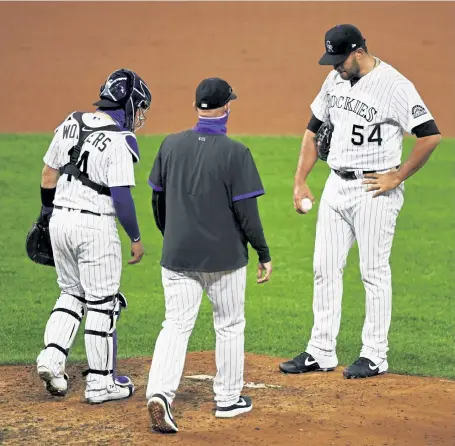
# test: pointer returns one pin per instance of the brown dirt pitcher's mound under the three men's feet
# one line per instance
(315, 409)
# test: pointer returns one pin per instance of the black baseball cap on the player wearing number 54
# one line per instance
(340, 41)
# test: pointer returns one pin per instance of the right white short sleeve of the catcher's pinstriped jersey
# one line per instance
(120, 167)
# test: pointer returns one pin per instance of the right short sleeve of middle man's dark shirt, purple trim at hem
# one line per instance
(245, 179)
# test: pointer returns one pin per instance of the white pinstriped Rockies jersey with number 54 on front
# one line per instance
(369, 118)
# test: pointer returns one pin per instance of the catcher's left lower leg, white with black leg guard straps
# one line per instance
(60, 332)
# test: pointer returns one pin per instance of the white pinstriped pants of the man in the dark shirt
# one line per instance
(183, 295)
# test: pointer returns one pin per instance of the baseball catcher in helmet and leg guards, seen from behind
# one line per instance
(85, 184)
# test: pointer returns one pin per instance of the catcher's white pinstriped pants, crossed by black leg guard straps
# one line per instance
(88, 261)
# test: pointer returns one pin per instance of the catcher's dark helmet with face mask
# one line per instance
(125, 89)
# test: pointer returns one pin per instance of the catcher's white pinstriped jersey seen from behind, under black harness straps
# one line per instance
(106, 157)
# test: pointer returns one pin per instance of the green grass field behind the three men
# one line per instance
(279, 314)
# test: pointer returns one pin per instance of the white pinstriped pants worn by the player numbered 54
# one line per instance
(348, 213)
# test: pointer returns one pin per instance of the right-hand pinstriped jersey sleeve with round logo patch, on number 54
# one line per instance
(408, 107)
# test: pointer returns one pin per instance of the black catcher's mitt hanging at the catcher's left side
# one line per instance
(38, 243)
